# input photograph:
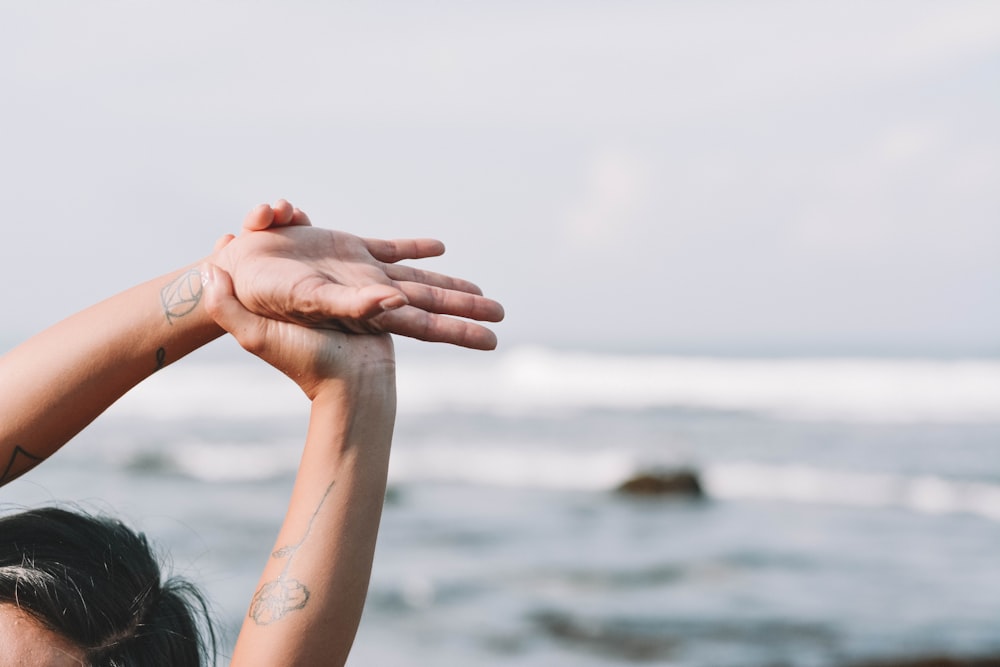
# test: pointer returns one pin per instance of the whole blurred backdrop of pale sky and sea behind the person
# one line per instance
(756, 243)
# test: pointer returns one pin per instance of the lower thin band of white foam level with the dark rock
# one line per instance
(565, 469)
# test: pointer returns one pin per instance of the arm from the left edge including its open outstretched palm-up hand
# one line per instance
(289, 272)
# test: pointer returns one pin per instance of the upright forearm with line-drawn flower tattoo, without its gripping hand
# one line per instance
(311, 594)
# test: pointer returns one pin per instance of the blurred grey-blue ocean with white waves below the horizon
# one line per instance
(851, 512)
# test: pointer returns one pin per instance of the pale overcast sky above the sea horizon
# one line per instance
(760, 177)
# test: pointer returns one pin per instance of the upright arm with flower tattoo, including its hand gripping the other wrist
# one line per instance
(309, 600)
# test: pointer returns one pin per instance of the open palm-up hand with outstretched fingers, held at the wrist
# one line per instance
(285, 269)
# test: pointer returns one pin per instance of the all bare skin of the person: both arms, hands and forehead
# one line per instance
(296, 296)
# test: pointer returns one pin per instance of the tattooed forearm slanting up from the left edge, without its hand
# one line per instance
(58, 381)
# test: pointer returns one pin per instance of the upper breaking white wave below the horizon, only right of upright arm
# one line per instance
(531, 379)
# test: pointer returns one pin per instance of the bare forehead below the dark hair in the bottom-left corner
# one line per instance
(28, 643)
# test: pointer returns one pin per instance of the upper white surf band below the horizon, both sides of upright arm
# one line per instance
(540, 381)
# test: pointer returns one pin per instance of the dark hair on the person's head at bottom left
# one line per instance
(97, 583)
